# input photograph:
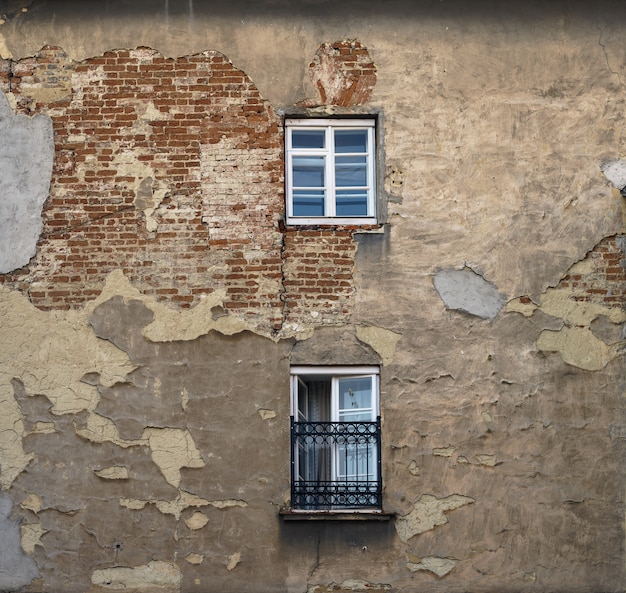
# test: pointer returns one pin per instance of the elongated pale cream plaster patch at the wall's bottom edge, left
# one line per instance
(154, 577)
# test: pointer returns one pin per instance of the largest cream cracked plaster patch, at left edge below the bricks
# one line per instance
(49, 354)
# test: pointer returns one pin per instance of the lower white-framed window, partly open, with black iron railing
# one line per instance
(335, 439)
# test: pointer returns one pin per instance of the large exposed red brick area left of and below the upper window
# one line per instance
(172, 170)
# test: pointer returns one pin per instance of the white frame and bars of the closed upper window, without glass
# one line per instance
(329, 126)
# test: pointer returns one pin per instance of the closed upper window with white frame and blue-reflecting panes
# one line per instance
(330, 171)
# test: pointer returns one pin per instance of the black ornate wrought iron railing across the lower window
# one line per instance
(335, 465)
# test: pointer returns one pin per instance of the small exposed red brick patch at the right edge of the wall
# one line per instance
(605, 284)
